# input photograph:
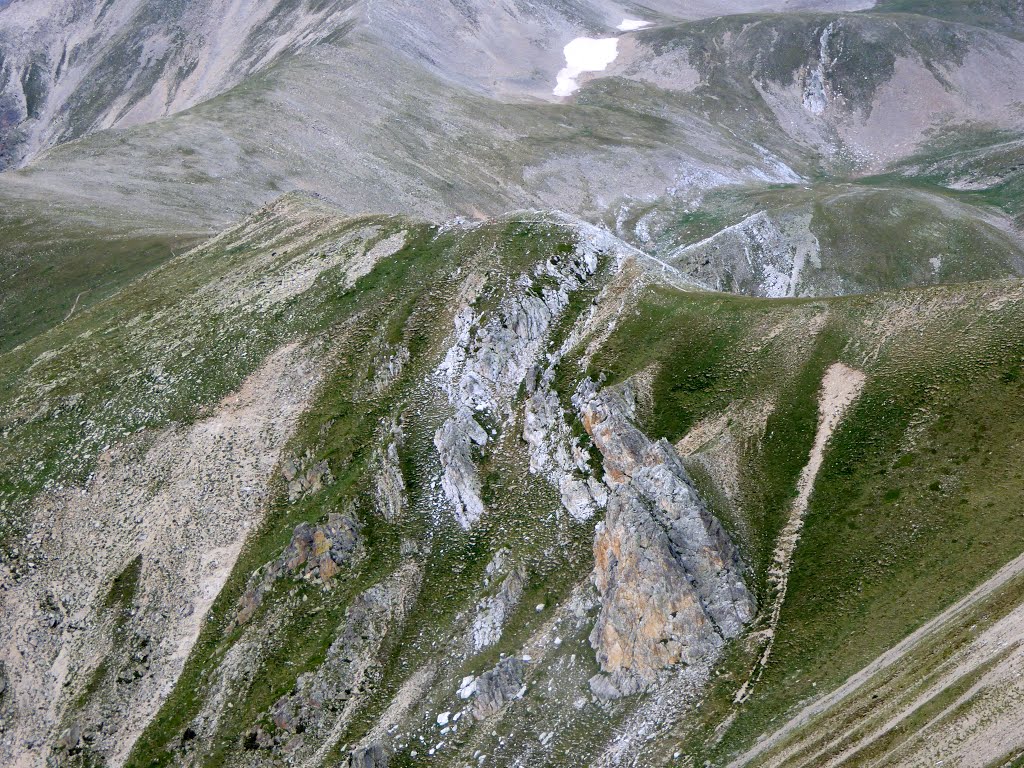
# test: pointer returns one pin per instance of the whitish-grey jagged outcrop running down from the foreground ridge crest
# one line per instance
(492, 356)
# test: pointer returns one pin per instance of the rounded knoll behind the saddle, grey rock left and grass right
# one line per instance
(829, 239)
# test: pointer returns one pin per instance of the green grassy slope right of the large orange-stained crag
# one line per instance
(915, 504)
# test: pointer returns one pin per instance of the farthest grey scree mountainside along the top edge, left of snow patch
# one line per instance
(70, 69)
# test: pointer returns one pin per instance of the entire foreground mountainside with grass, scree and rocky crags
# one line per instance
(421, 571)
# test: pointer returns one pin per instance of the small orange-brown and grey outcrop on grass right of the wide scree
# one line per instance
(316, 552)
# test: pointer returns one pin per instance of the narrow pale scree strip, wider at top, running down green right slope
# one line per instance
(840, 388)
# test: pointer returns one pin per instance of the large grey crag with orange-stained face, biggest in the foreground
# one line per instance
(669, 577)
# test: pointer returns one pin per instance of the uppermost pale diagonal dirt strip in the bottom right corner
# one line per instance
(887, 660)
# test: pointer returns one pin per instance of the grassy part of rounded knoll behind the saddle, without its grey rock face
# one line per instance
(886, 234)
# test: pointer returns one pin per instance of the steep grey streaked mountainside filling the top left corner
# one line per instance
(69, 69)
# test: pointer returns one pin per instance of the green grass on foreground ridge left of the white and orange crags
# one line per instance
(162, 352)
